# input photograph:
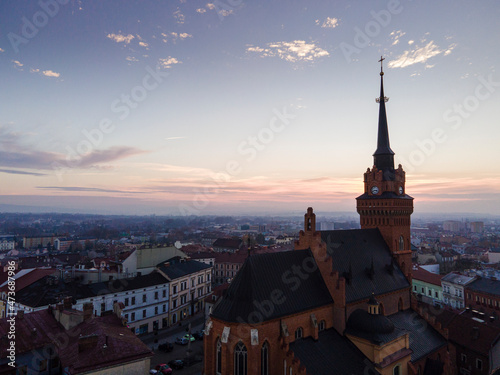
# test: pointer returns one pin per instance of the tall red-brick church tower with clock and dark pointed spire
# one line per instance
(385, 204)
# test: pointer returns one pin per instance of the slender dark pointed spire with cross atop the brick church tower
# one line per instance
(383, 158)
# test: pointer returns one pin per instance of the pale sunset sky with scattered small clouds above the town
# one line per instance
(198, 107)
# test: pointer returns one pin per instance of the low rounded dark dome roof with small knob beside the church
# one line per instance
(376, 328)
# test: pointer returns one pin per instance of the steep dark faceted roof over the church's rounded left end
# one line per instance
(265, 277)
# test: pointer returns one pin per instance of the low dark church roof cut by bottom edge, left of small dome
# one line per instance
(331, 354)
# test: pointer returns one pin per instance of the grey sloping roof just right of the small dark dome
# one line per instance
(423, 338)
